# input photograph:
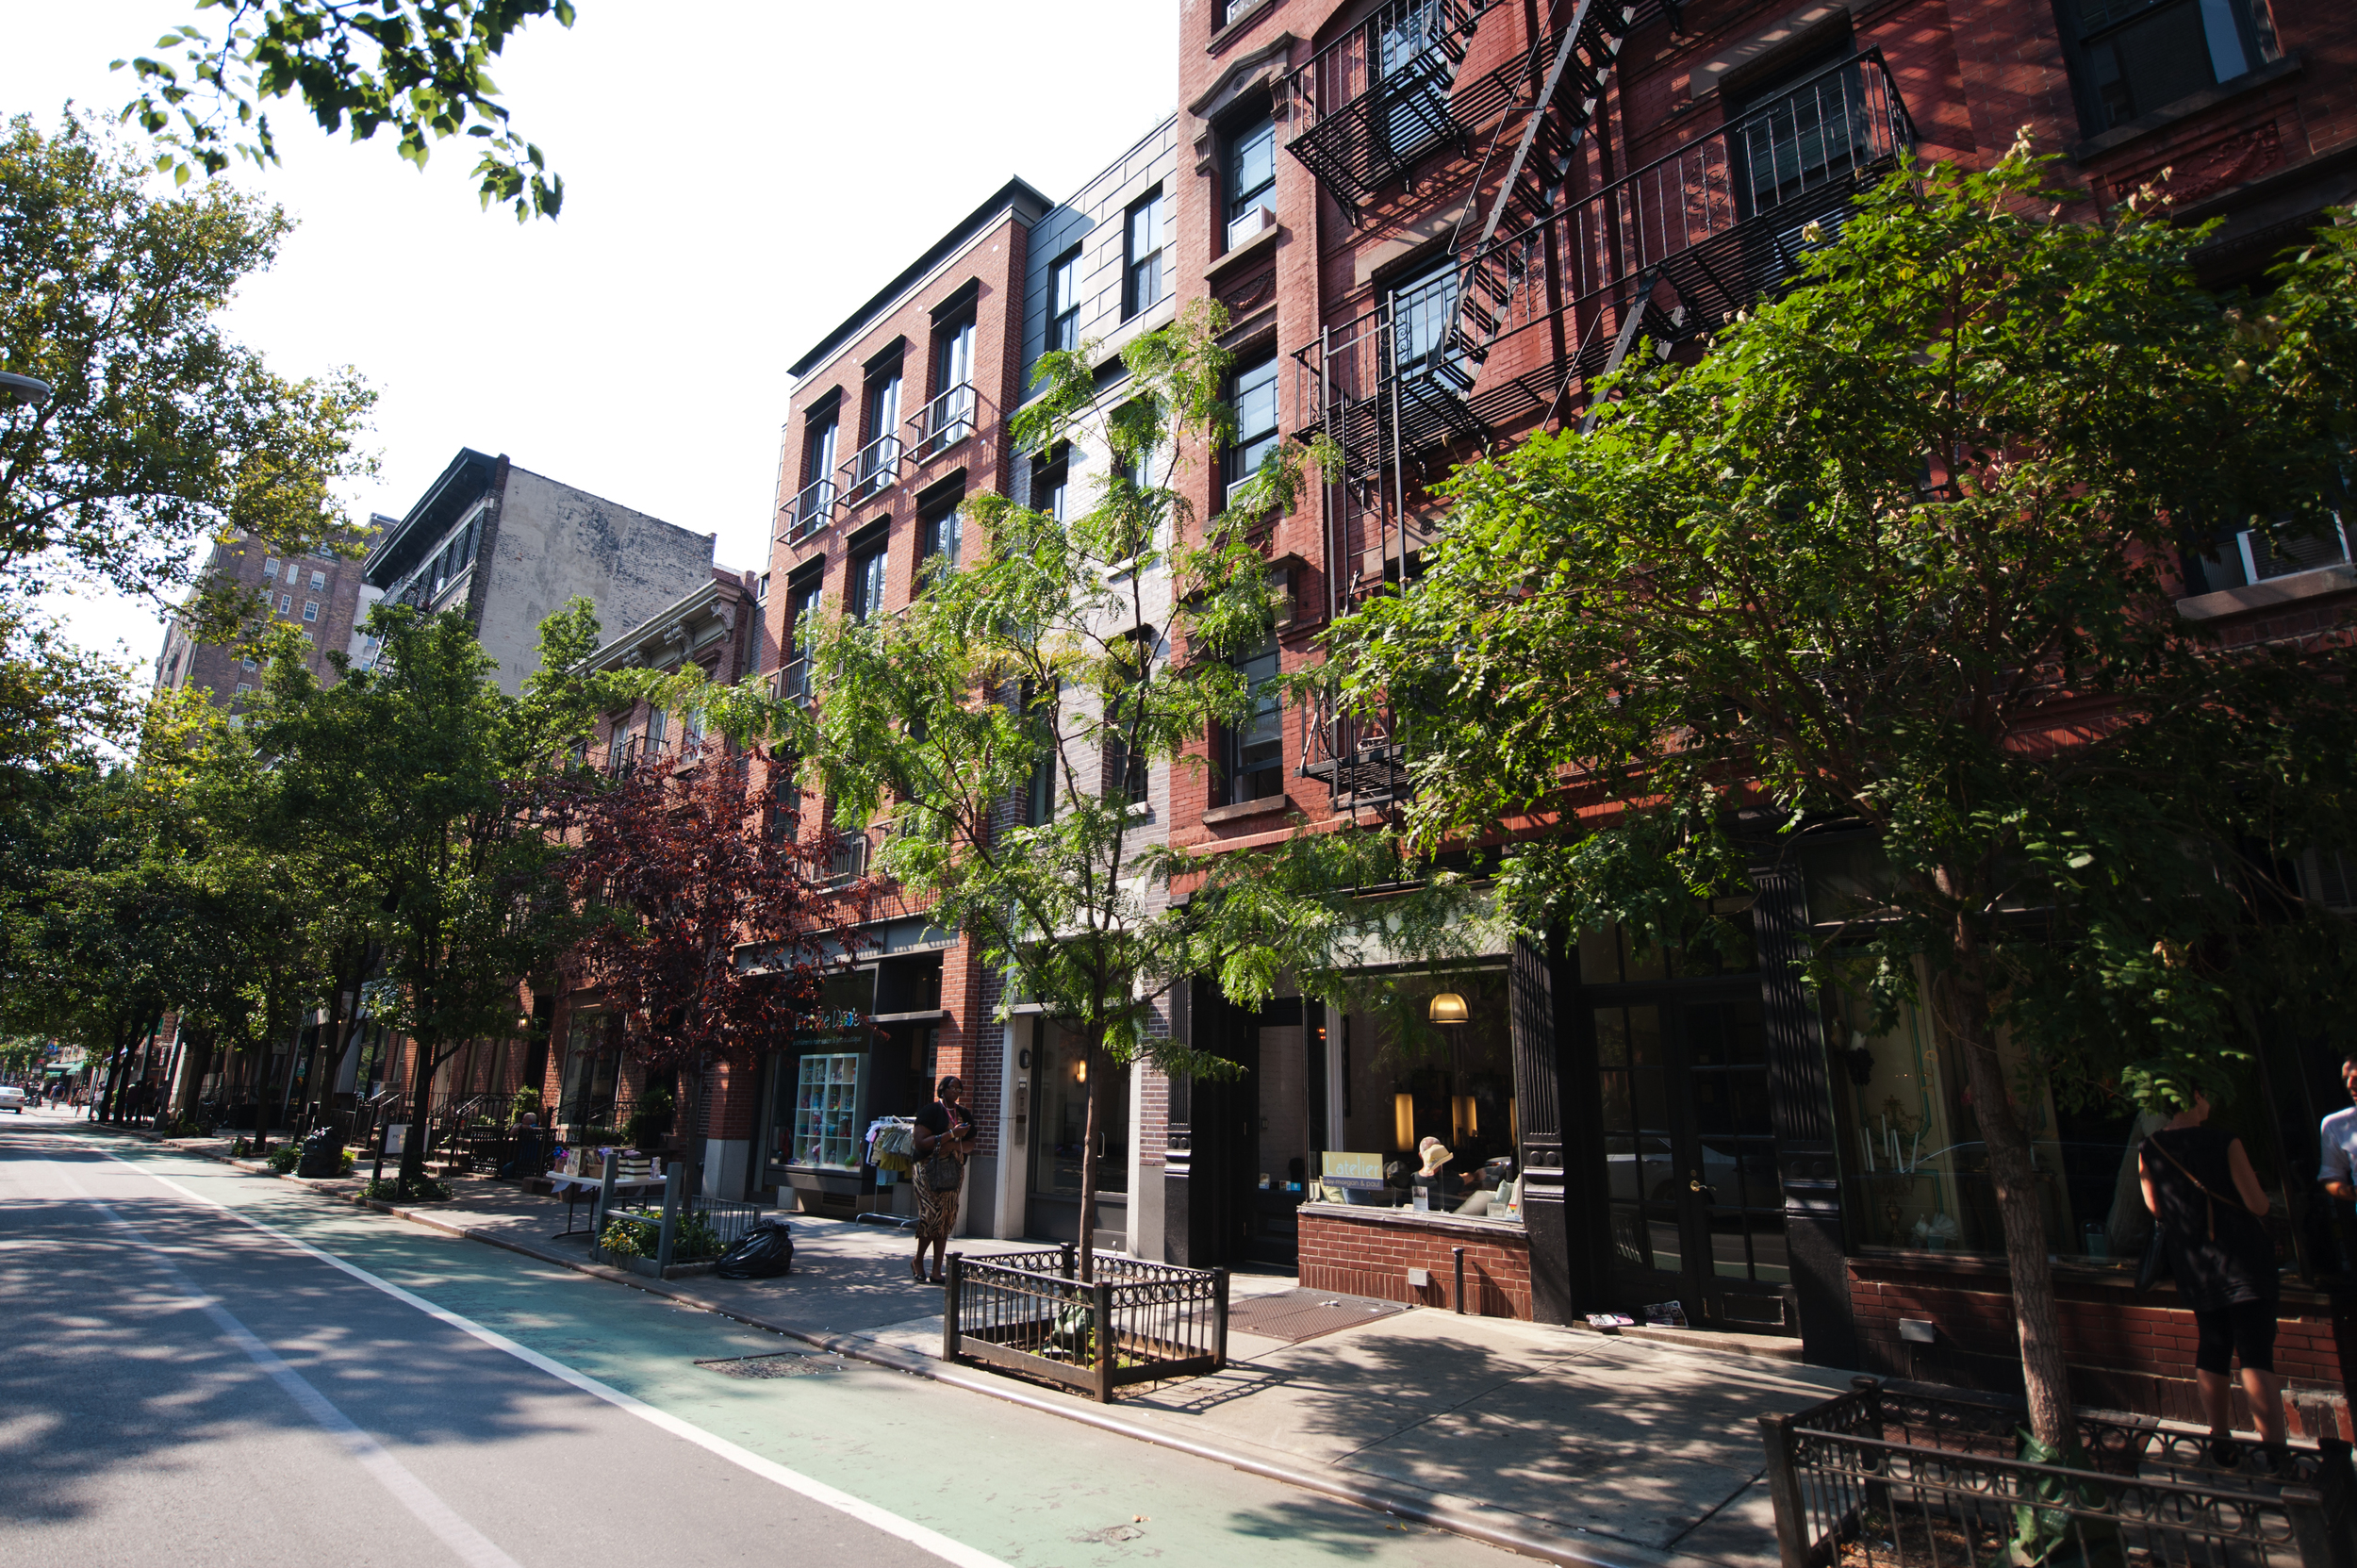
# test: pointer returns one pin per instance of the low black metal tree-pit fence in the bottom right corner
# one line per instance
(1915, 1480)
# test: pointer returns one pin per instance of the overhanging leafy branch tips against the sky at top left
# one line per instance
(418, 67)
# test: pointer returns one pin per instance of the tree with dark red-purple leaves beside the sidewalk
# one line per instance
(682, 871)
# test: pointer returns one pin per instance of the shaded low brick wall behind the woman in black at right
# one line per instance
(2127, 1352)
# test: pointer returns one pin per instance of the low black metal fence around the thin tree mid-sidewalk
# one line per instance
(1029, 1312)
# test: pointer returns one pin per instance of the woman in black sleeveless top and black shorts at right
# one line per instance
(2210, 1206)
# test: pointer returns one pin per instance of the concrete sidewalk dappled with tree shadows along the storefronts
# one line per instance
(1564, 1444)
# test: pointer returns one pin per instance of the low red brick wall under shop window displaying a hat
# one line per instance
(1368, 1253)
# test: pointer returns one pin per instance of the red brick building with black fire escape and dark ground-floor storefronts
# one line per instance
(1434, 225)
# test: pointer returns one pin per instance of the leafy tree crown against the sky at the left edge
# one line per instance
(161, 433)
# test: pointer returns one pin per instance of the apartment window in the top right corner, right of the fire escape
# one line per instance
(2144, 55)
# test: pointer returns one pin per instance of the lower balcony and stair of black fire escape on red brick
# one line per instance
(1552, 294)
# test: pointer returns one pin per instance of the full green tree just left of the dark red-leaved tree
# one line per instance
(437, 784)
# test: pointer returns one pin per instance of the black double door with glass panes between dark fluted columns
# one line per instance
(1691, 1190)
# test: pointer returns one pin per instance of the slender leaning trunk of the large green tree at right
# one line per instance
(2045, 1369)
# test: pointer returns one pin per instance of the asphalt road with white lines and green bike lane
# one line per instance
(206, 1366)
